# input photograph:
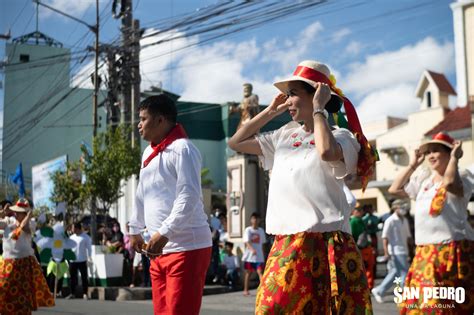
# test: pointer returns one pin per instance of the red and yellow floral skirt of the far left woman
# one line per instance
(23, 287)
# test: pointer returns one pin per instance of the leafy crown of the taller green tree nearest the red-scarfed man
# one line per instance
(113, 160)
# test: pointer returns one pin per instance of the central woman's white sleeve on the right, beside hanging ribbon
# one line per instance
(350, 150)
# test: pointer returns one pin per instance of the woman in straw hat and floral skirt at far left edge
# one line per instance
(23, 287)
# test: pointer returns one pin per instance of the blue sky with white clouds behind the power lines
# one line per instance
(377, 49)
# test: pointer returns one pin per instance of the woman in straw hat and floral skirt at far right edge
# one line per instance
(445, 240)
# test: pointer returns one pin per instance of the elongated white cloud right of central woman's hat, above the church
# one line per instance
(402, 66)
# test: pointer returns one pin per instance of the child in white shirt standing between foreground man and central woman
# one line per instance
(254, 238)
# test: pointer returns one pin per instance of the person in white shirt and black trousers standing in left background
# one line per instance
(82, 251)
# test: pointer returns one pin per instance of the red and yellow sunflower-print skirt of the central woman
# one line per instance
(314, 273)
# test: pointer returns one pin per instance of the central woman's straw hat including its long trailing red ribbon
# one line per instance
(312, 72)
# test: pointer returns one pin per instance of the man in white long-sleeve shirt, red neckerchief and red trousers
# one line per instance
(169, 203)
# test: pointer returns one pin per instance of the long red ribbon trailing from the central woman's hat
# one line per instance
(367, 155)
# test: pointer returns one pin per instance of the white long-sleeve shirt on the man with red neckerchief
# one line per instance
(169, 198)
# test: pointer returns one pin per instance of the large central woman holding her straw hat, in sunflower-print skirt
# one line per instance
(314, 266)
